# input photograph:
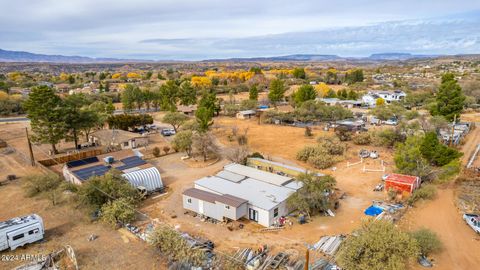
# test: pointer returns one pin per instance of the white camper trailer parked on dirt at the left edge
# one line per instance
(20, 231)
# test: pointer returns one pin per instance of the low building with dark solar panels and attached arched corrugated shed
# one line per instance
(134, 169)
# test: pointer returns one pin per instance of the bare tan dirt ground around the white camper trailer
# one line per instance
(65, 225)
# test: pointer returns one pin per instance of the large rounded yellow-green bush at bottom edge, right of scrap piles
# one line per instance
(377, 245)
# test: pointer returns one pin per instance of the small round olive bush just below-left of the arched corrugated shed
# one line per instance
(121, 211)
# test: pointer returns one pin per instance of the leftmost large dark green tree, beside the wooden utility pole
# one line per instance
(45, 110)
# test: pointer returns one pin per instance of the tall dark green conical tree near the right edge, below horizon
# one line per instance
(450, 99)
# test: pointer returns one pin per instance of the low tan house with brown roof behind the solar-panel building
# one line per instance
(118, 138)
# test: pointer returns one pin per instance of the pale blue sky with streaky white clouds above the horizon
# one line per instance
(207, 29)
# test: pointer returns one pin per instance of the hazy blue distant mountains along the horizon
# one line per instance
(18, 56)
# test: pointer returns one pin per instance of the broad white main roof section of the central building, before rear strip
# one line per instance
(258, 193)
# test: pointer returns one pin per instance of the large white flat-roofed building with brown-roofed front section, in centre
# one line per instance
(264, 194)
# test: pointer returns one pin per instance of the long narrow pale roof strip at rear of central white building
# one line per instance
(250, 172)
